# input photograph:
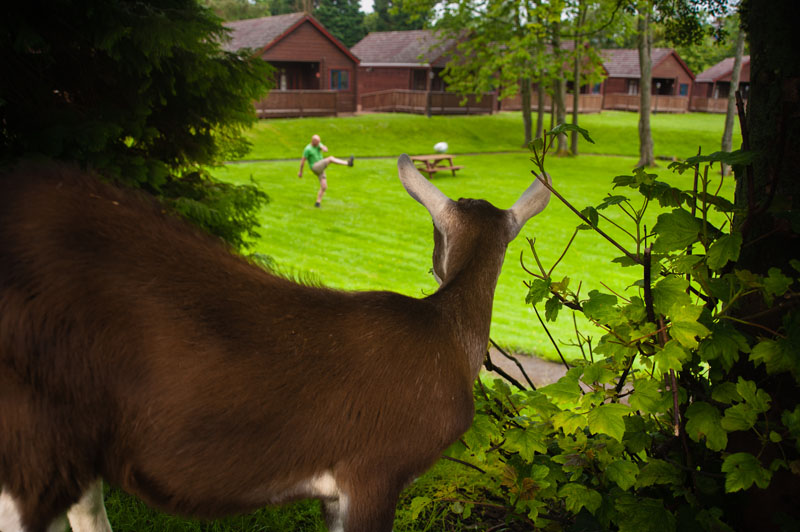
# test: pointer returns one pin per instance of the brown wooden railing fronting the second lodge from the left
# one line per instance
(439, 103)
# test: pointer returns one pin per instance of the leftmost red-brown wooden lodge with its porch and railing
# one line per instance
(315, 74)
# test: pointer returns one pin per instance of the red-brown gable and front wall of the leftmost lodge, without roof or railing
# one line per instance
(307, 43)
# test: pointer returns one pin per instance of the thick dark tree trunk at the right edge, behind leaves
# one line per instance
(769, 195)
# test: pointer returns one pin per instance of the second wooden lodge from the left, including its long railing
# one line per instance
(400, 71)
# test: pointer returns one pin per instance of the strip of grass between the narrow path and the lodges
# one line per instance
(615, 133)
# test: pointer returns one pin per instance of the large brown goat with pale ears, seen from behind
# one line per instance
(135, 349)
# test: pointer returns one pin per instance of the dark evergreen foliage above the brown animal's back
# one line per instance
(139, 91)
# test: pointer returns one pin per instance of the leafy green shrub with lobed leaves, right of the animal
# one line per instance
(673, 403)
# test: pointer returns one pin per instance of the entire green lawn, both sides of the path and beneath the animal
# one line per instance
(370, 235)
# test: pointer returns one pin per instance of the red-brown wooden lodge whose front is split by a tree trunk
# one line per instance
(671, 84)
